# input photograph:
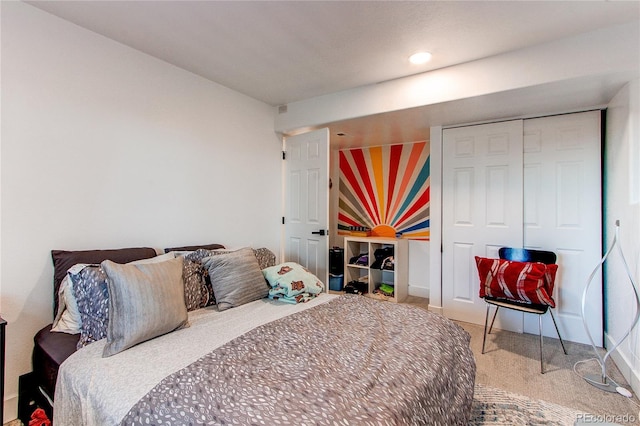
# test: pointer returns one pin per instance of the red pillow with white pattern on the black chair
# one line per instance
(529, 282)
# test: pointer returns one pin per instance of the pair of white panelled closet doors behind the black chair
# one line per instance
(531, 183)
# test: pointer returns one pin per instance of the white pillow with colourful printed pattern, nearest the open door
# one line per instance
(292, 282)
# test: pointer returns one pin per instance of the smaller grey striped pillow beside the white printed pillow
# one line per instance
(236, 278)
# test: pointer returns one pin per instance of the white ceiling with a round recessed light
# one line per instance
(285, 51)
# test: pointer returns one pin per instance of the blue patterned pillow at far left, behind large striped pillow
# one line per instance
(92, 295)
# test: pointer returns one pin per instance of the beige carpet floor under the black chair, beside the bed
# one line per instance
(511, 366)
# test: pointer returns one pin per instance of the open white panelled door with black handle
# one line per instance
(306, 219)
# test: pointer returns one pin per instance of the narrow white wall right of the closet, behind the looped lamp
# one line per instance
(622, 202)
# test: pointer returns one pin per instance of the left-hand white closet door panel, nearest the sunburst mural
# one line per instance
(482, 211)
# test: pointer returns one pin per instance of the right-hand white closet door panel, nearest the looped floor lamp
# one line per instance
(563, 214)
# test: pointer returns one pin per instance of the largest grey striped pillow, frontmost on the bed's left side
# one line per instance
(145, 301)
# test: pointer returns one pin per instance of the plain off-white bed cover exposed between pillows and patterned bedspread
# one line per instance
(96, 391)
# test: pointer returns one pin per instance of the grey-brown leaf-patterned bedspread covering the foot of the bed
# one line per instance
(352, 360)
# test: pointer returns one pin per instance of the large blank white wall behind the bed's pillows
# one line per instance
(105, 147)
